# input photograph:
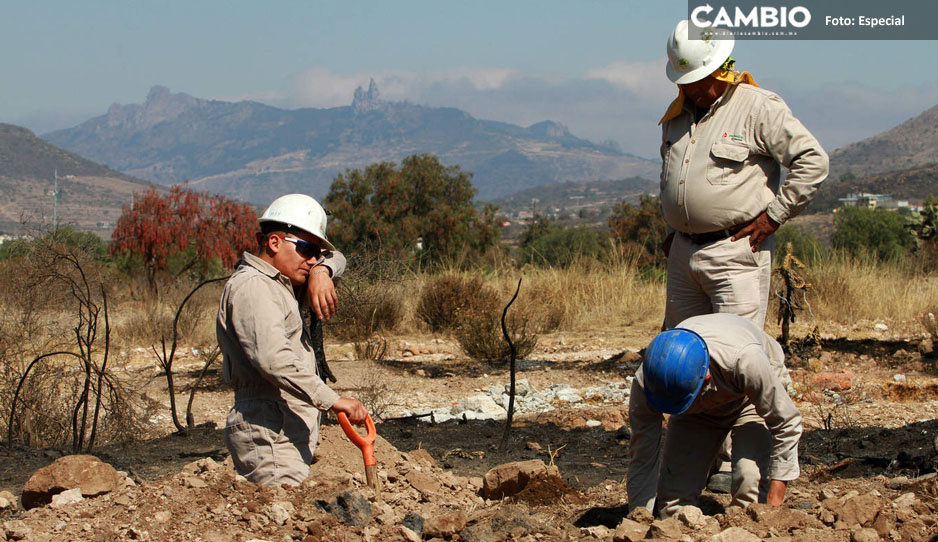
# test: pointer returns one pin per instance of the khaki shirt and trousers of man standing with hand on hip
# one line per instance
(724, 171)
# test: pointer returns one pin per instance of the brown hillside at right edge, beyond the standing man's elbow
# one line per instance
(912, 144)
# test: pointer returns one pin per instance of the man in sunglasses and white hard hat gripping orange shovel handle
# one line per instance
(273, 427)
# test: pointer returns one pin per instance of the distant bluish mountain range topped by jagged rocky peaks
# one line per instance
(254, 152)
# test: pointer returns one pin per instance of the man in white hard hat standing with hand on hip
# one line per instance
(723, 143)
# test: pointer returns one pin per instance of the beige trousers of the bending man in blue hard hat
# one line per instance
(690, 448)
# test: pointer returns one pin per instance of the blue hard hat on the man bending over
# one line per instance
(674, 369)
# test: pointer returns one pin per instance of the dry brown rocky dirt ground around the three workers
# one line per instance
(868, 457)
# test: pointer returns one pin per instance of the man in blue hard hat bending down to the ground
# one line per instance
(714, 374)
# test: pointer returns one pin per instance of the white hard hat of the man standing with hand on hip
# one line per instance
(693, 57)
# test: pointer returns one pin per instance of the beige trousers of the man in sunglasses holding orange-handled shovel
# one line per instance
(270, 444)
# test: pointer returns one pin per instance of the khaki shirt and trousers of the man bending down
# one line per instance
(745, 396)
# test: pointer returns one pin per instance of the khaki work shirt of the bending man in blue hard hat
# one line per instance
(747, 369)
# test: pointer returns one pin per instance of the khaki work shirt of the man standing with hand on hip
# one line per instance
(725, 169)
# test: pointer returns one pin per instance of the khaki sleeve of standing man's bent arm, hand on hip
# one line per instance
(779, 134)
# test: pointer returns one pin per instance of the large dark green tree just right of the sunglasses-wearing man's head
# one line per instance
(421, 211)
